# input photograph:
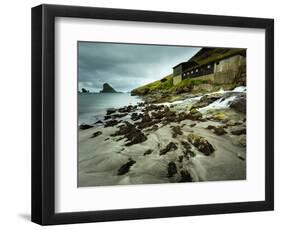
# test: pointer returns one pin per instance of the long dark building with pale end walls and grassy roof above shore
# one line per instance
(218, 65)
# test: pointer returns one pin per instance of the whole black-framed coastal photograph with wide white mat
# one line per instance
(142, 114)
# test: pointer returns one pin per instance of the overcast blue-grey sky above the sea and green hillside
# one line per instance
(126, 66)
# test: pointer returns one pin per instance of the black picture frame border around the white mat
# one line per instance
(43, 113)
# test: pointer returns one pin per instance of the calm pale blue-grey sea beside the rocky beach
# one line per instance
(92, 106)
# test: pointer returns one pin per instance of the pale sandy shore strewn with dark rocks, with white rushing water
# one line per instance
(199, 138)
